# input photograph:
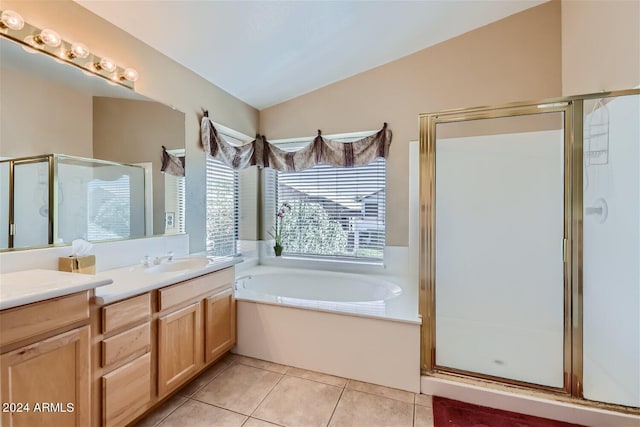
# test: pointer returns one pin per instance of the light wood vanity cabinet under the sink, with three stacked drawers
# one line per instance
(144, 348)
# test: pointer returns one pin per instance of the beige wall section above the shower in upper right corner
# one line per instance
(600, 45)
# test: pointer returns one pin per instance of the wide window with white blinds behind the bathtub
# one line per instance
(335, 212)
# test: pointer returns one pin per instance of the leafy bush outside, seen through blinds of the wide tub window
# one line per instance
(315, 232)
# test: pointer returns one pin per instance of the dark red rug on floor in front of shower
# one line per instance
(451, 413)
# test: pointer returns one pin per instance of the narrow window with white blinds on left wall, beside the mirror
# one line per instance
(223, 202)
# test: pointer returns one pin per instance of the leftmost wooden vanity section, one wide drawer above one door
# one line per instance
(45, 363)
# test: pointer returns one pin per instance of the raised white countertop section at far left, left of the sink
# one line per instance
(25, 287)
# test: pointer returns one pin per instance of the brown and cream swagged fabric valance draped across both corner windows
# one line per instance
(261, 153)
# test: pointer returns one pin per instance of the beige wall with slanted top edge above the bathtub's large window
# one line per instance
(517, 58)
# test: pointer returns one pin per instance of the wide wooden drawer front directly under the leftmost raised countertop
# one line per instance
(22, 323)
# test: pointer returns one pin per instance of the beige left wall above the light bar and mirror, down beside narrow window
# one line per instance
(161, 79)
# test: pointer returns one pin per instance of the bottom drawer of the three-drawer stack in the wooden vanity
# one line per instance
(126, 390)
